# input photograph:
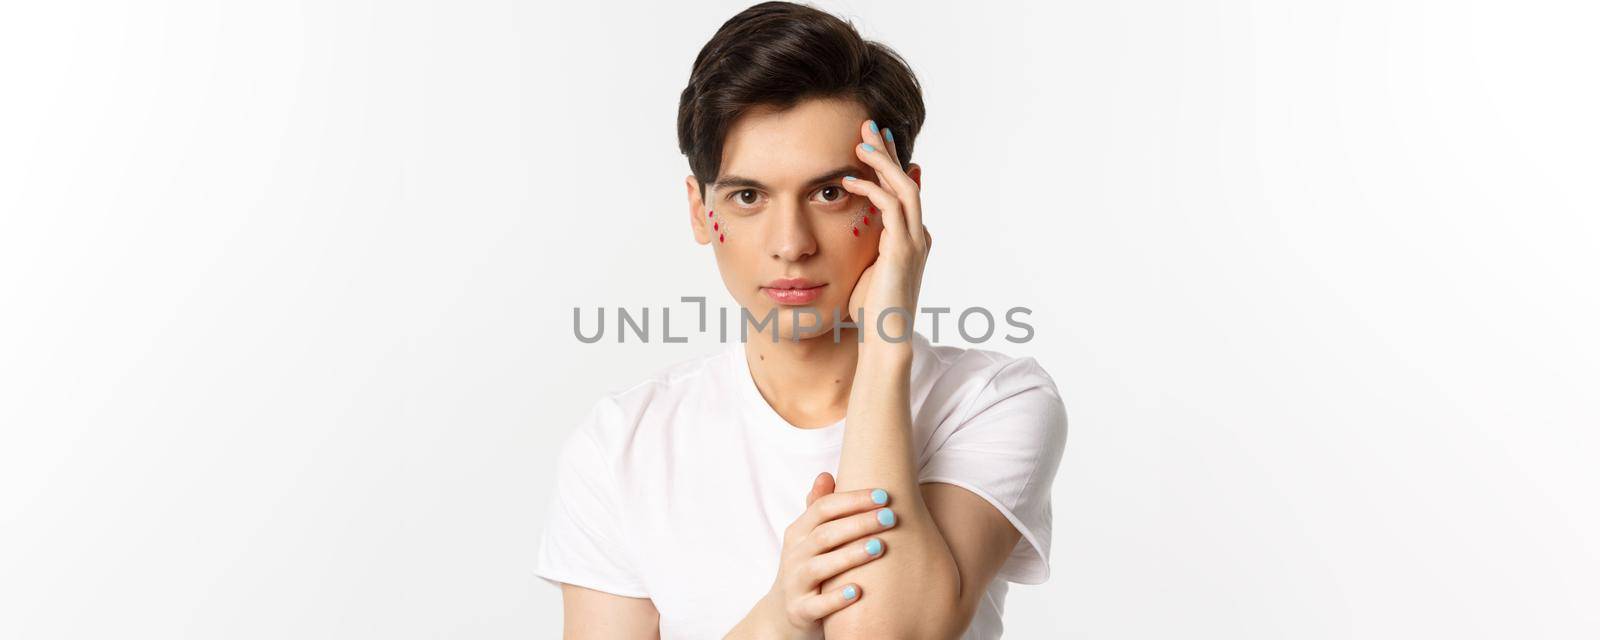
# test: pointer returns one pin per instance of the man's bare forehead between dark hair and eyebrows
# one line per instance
(793, 145)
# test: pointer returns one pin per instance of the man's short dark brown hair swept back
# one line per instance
(778, 54)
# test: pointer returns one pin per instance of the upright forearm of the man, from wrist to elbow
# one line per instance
(916, 588)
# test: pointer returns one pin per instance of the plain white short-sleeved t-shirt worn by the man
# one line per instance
(679, 489)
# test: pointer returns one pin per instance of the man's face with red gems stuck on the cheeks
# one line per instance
(780, 214)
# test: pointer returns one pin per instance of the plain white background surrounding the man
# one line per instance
(286, 303)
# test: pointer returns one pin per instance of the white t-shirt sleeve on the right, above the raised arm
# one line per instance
(1007, 450)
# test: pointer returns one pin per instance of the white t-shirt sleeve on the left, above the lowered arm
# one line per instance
(583, 542)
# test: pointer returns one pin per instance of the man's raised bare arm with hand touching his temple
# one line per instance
(948, 542)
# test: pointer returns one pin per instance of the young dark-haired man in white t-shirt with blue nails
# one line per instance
(866, 487)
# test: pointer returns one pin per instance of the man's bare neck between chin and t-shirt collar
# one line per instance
(806, 382)
